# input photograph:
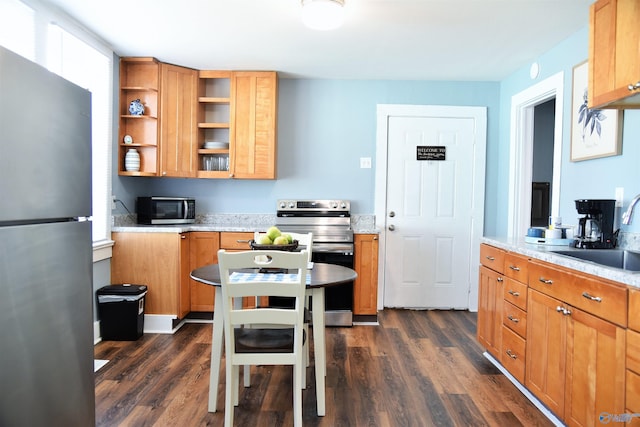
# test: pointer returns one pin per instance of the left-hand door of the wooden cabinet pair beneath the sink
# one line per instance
(546, 351)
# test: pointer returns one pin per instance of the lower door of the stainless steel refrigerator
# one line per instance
(46, 358)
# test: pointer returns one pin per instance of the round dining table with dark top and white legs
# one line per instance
(320, 276)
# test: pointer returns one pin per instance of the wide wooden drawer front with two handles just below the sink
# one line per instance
(593, 295)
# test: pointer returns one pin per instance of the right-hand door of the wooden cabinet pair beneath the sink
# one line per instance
(595, 369)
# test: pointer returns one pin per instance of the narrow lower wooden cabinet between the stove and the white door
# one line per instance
(365, 287)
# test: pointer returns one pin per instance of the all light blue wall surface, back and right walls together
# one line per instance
(325, 126)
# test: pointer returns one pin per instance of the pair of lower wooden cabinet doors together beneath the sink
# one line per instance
(575, 361)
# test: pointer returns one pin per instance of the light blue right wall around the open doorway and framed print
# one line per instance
(591, 179)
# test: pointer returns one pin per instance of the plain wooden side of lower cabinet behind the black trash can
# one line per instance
(161, 262)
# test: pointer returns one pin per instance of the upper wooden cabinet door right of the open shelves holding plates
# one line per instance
(253, 125)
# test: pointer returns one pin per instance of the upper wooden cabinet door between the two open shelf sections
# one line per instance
(178, 115)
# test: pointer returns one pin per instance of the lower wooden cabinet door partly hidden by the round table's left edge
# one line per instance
(204, 247)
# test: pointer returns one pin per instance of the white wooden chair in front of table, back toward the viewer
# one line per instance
(254, 346)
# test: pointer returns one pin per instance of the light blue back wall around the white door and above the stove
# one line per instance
(324, 127)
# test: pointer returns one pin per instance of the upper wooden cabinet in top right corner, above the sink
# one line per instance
(614, 54)
